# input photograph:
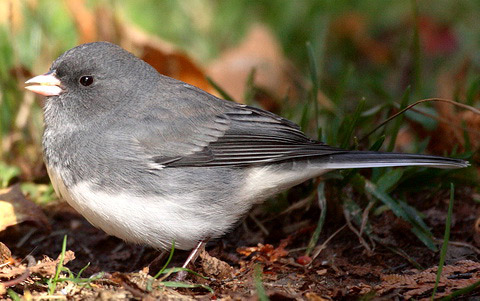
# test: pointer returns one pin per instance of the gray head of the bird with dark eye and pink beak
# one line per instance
(90, 80)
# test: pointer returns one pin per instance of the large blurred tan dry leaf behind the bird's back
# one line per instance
(260, 51)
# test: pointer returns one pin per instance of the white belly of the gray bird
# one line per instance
(153, 221)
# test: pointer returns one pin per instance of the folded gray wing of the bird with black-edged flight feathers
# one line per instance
(213, 132)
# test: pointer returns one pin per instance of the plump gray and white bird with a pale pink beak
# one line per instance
(153, 160)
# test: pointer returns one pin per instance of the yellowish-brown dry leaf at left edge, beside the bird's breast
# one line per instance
(15, 209)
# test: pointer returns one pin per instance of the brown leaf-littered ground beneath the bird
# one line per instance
(251, 260)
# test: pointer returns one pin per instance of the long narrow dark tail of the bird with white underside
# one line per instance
(366, 159)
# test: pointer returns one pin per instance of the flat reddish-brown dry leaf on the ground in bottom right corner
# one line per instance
(414, 283)
